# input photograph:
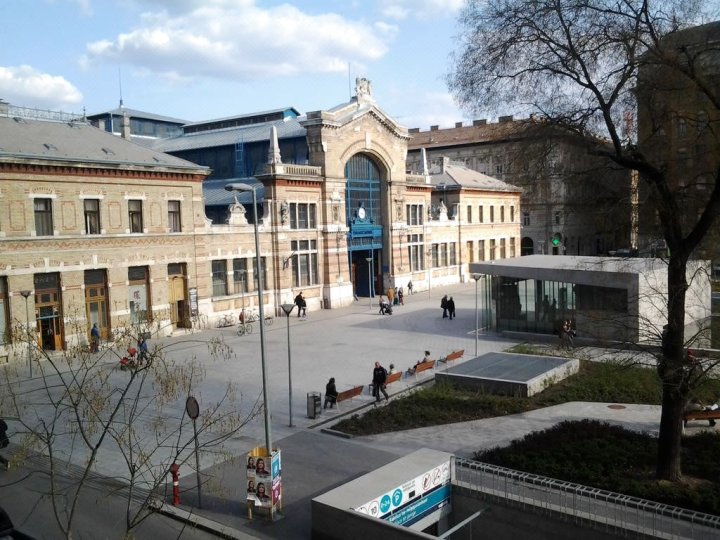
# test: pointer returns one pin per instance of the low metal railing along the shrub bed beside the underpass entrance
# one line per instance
(579, 503)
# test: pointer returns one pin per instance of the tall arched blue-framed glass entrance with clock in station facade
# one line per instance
(364, 211)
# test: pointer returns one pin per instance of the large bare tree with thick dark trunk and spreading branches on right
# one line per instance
(579, 65)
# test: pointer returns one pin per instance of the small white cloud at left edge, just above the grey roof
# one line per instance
(26, 86)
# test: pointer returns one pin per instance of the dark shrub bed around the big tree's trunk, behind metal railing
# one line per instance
(610, 457)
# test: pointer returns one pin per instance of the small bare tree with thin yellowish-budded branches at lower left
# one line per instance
(82, 410)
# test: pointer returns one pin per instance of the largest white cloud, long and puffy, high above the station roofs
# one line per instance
(231, 39)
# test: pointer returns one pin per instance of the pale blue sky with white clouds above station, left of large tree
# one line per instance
(204, 59)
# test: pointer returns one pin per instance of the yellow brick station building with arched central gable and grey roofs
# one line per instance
(95, 229)
